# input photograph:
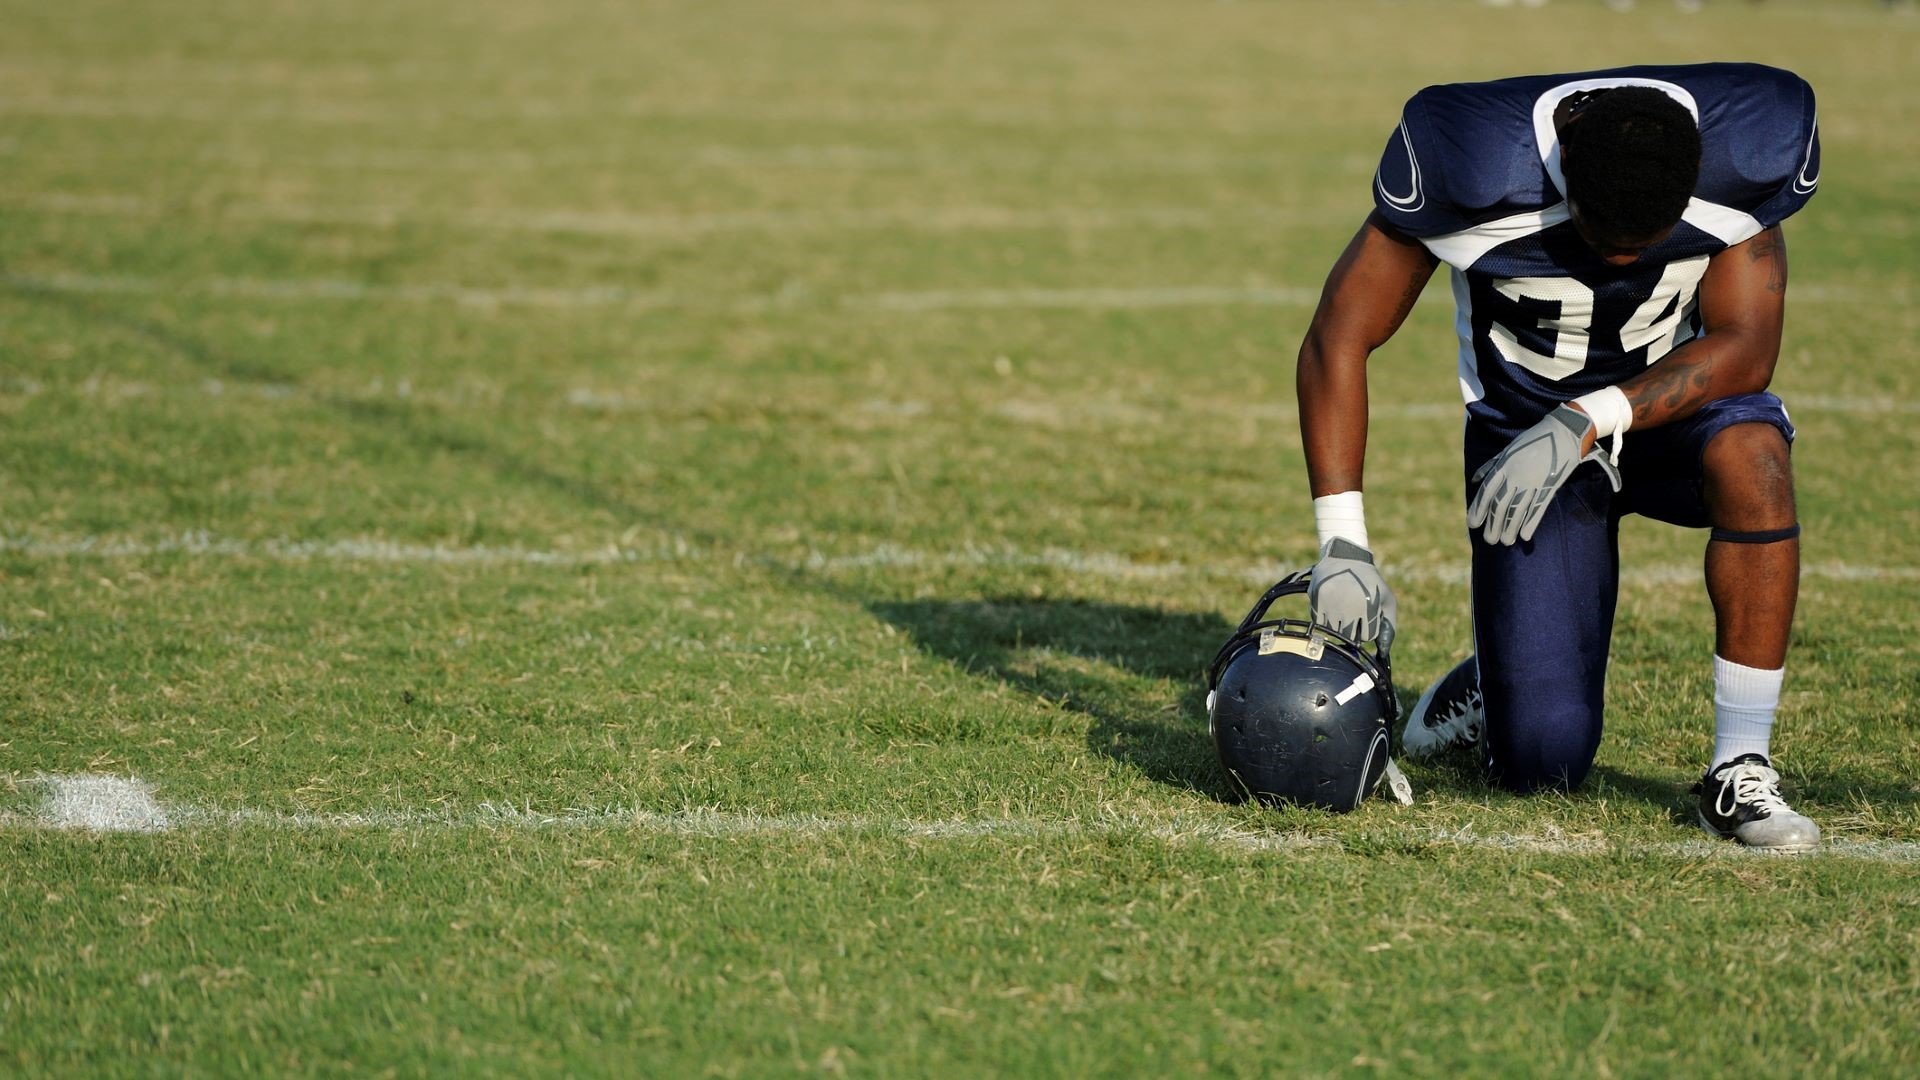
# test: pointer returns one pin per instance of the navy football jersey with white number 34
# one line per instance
(1474, 172)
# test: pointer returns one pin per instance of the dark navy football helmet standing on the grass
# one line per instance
(1301, 714)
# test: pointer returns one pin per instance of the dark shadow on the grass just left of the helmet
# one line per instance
(1136, 675)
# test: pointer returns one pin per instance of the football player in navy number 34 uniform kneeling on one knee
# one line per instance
(1620, 274)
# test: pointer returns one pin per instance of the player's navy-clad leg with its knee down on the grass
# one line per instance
(1543, 618)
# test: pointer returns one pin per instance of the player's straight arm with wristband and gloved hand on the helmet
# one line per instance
(1368, 295)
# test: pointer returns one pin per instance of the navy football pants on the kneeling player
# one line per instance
(1543, 610)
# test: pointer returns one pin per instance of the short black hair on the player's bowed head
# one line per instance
(1631, 159)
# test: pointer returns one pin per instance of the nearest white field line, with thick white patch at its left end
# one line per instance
(128, 804)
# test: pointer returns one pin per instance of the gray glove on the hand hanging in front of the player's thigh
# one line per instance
(1520, 481)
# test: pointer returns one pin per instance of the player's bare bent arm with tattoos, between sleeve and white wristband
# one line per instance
(1742, 307)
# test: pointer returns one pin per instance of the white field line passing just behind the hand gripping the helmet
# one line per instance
(878, 558)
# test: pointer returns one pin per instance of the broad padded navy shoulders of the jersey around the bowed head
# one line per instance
(1474, 153)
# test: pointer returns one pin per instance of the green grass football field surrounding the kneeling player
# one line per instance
(683, 539)
